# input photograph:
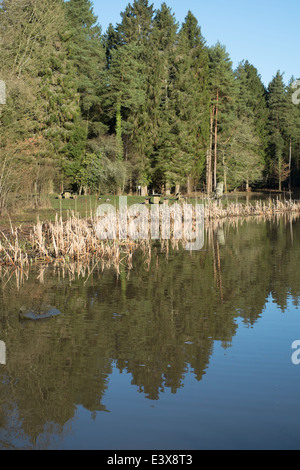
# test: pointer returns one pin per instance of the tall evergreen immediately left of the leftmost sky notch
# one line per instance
(86, 52)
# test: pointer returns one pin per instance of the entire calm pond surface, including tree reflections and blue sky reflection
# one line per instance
(184, 351)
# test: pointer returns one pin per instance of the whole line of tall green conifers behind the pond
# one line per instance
(146, 103)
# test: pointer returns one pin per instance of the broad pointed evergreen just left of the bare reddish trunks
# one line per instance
(188, 101)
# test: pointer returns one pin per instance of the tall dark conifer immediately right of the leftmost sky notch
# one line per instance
(132, 57)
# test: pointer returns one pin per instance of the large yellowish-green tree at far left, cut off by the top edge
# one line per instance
(39, 100)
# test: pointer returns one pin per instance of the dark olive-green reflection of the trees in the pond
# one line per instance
(155, 322)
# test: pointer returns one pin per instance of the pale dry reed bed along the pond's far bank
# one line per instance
(77, 239)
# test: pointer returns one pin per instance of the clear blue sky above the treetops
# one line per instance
(265, 32)
